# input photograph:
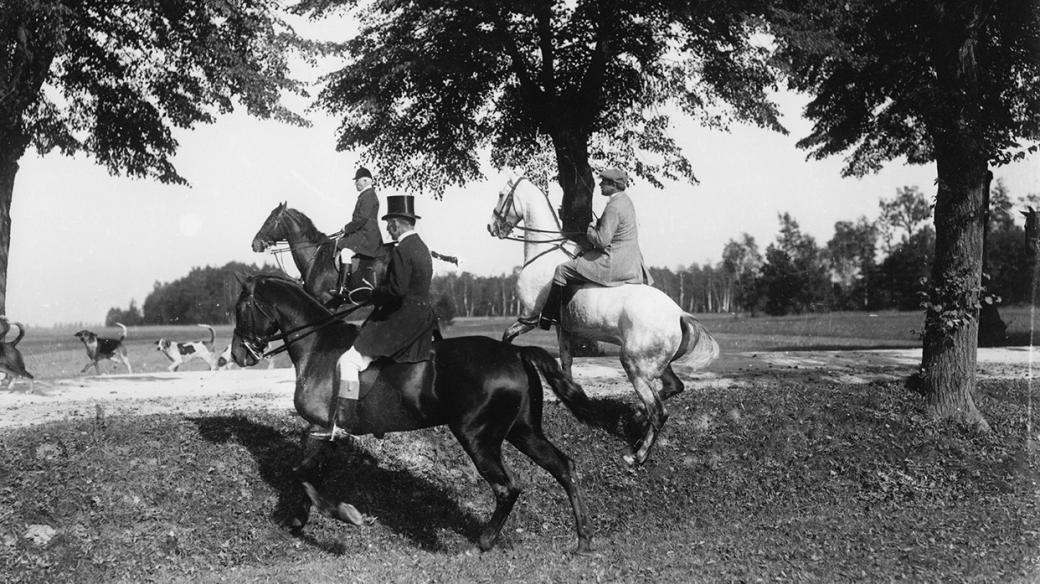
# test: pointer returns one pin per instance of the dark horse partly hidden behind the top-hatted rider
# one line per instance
(315, 254)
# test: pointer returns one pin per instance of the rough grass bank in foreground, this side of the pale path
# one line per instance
(801, 483)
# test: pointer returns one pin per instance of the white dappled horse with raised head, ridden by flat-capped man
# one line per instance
(652, 330)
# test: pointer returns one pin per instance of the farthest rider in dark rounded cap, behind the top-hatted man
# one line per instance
(361, 236)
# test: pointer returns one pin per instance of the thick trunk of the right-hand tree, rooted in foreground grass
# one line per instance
(952, 317)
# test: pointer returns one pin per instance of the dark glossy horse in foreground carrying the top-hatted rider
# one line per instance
(487, 392)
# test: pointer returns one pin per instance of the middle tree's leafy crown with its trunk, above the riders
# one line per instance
(428, 85)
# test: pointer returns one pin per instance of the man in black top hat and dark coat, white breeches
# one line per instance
(402, 327)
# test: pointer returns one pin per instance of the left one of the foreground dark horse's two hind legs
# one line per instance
(486, 450)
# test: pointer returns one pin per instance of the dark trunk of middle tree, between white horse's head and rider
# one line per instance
(577, 180)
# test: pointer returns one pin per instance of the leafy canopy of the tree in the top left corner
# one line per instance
(113, 79)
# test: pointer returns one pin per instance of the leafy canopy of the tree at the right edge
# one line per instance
(892, 77)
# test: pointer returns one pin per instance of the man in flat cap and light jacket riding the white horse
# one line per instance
(615, 257)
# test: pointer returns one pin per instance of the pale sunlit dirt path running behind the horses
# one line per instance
(216, 391)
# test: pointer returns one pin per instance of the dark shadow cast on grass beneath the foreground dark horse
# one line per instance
(406, 505)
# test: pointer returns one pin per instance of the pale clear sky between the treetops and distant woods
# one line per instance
(85, 242)
